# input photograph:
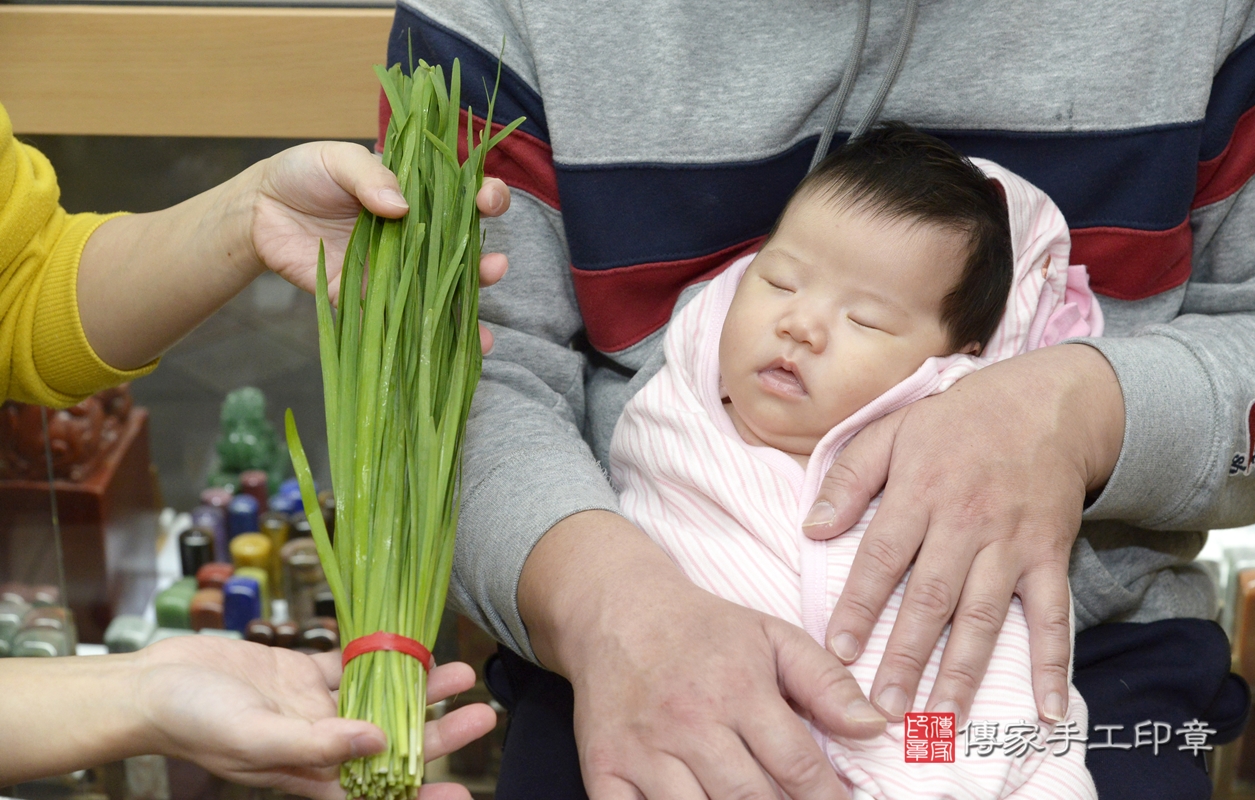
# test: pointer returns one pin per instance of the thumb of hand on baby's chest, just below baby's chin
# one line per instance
(855, 478)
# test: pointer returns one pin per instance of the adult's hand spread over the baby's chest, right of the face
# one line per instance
(985, 487)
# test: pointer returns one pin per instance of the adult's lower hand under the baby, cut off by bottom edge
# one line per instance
(680, 694)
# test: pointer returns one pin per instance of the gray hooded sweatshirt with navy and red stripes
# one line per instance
(665, 136)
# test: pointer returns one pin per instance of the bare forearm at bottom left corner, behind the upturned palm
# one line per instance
(66, 714)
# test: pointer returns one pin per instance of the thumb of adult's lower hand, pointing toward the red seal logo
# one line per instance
(821, 685)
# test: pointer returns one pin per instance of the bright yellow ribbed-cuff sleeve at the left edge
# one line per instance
(45, 356)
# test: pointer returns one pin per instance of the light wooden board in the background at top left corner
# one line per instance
(206, 71)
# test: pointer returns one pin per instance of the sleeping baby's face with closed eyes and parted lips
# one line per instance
(834, 311)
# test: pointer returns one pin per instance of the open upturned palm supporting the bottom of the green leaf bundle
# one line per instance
(267, 716)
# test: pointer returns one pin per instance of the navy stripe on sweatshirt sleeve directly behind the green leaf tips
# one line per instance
(436, 45)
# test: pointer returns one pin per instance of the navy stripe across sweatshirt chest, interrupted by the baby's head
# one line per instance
(641, 214)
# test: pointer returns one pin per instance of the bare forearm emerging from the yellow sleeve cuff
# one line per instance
(146, 281)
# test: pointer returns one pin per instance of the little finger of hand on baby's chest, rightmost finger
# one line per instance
(1049, 612)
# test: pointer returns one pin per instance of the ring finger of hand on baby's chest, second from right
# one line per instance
(978, 620)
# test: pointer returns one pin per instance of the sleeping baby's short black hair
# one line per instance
(900, 173)
